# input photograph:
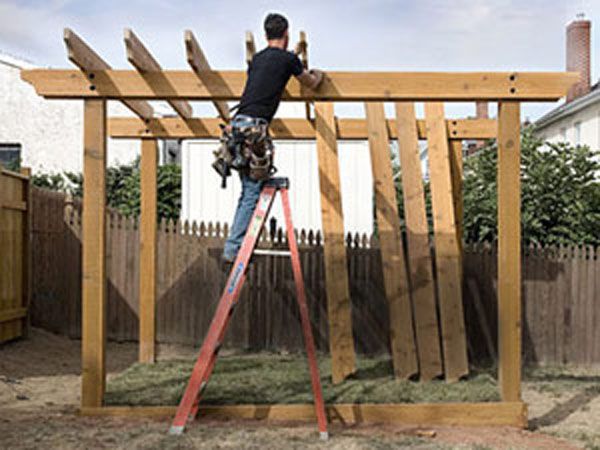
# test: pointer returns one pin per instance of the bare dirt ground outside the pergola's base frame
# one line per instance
(40, 388)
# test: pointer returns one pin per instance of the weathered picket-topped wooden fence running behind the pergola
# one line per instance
(561, 313)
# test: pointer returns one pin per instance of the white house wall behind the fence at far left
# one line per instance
(47, 135)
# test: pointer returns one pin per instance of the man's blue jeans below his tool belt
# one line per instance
(246, 204)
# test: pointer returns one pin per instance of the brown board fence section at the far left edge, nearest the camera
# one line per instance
(14, 253)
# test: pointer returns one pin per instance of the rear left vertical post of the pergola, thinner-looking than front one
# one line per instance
(148, 229)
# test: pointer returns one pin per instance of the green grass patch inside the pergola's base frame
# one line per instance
(269, 378)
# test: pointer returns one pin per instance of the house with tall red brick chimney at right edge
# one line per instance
(577, 121)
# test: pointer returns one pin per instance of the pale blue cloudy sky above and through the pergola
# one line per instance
(387, 35)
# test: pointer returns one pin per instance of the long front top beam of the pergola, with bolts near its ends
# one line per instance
(336, 86)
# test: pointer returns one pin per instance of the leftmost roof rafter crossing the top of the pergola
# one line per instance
(82, 55)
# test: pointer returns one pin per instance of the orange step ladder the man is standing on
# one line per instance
(188, 407)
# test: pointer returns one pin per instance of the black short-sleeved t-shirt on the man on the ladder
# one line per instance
(268, 74)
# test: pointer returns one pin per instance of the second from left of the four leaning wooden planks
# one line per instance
(404, 355)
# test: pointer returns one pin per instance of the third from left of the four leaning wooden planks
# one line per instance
(422, 286)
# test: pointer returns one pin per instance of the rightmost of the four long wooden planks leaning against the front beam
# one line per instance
(447, 250)
